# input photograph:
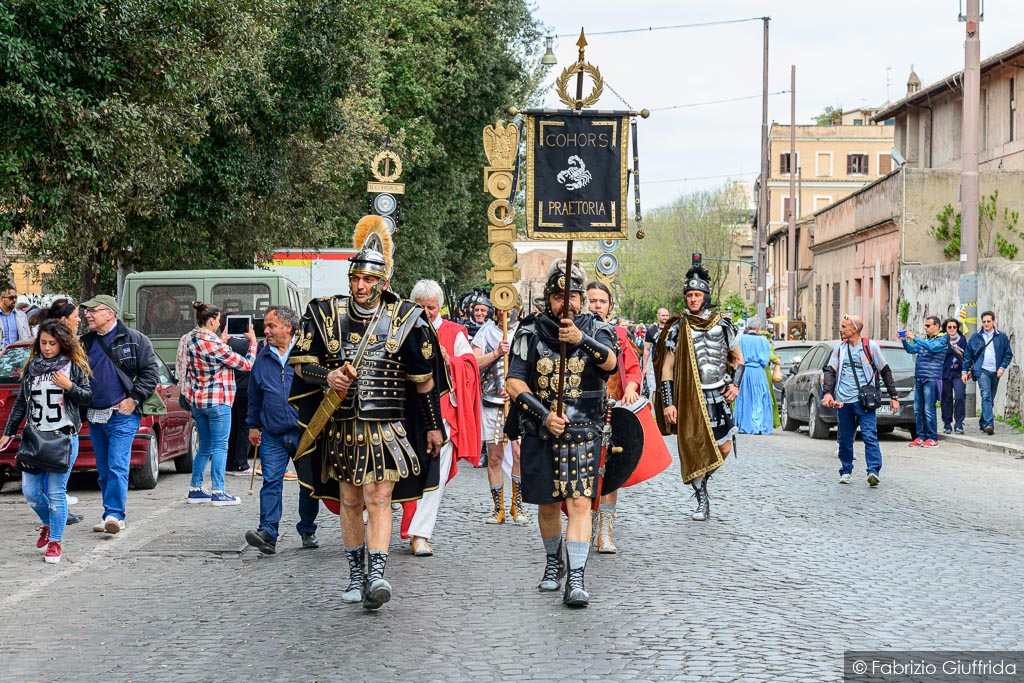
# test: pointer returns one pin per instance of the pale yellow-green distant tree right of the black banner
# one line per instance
(653, 271)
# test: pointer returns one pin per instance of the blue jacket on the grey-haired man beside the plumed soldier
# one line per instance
(270, 385)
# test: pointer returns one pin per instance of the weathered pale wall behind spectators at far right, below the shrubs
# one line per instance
(934, 290)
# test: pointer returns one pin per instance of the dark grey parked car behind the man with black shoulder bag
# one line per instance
(801, 402)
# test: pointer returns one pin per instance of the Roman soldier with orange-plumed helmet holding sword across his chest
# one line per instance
(368, 386)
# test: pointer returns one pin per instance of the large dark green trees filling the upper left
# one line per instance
(202, 134)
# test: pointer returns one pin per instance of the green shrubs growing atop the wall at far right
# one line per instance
(998, 233)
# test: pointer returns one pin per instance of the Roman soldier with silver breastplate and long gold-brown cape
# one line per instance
(700, 368)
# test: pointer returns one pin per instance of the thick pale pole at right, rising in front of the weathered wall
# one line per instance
(969, 183)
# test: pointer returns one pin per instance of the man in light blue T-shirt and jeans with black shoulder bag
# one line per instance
(850, 385)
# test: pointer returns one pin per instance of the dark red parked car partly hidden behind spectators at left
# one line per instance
(170, 437)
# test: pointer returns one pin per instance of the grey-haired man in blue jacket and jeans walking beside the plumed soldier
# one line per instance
(274, 428)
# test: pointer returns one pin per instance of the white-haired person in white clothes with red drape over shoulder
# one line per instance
(460, 413)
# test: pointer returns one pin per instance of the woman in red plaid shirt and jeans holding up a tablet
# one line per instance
(210, 391)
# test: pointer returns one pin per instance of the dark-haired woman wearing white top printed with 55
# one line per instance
(55, 385)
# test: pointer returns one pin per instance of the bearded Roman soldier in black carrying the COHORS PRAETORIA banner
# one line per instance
(561, 421)
